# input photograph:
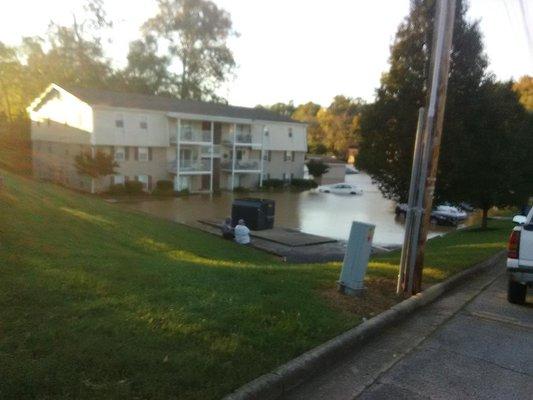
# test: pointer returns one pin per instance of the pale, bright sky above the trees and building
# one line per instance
(299, 50)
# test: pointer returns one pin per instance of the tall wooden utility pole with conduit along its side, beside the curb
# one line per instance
(420, 205)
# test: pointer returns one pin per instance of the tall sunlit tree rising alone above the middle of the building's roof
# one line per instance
(195, 34)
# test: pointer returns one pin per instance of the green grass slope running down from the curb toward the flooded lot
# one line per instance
(97, 302)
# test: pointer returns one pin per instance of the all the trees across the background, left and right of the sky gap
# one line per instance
(183, 52)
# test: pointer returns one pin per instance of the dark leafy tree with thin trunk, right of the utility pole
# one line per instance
(488, 163)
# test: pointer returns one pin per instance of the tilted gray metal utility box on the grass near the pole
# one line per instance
(355, 263)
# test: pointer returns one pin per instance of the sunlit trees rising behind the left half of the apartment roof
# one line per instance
(182, 52)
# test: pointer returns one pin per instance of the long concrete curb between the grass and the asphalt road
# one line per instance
(274, 384)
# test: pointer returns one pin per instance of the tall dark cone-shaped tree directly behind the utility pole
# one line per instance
(389, 124)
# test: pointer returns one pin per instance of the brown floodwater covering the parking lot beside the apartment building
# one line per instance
(323, 214)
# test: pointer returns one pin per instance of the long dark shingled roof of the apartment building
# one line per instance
(162, 103)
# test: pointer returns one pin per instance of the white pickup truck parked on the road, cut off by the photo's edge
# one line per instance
(520, 258)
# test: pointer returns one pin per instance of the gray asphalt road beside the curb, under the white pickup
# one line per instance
(470, 344)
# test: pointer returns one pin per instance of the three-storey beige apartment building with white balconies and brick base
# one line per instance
(200, 146)
